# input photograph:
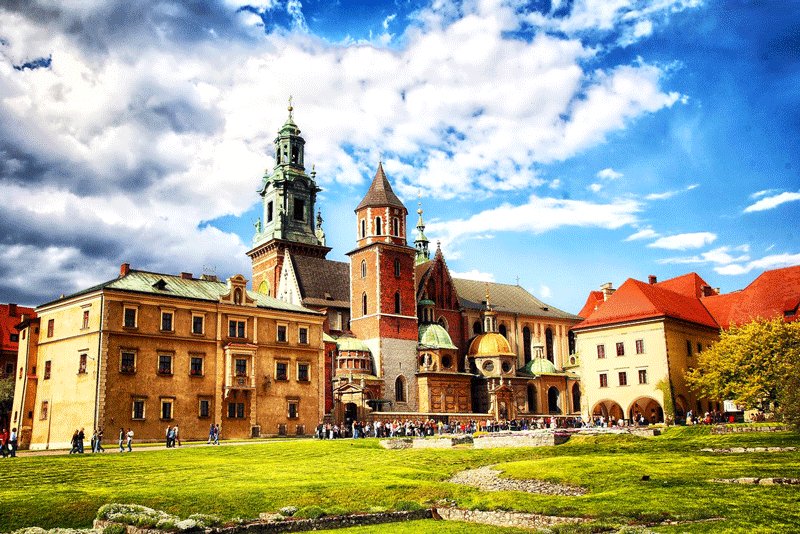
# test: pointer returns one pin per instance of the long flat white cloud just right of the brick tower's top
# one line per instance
(539, 215)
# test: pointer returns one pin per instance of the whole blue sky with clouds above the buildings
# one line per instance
(555, 144)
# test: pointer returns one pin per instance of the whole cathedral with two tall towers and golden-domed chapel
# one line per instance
(402, 336)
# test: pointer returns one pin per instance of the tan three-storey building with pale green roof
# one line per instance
(149, 350)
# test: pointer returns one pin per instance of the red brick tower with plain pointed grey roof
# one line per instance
(383, 292)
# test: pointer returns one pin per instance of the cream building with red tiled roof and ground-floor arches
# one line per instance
(637, 342)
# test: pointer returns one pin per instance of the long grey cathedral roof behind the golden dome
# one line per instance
(505, 298)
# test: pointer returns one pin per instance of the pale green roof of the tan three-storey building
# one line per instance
(185, 288)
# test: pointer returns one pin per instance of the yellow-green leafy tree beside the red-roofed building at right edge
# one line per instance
(755, 364)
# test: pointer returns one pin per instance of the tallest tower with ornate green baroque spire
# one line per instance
(287, 224)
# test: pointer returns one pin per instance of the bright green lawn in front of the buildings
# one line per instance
(241, 481)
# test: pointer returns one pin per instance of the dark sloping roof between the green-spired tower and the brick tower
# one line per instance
(323, 282)
